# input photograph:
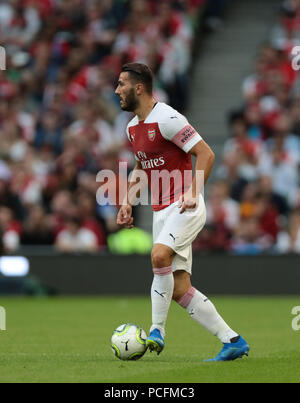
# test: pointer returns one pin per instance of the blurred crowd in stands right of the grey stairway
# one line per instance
(254, 206)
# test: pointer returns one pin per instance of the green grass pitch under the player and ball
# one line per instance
(68, 340)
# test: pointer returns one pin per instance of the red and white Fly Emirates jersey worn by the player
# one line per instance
(162, 143)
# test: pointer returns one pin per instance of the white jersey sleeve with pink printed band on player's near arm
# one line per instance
(176, 128)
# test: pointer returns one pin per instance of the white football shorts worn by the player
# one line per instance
(178, 231)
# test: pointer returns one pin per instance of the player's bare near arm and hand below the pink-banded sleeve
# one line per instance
(205, 158)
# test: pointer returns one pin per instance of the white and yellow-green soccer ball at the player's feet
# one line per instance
(128, 342)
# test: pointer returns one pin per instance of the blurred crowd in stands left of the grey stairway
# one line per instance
(60, 121)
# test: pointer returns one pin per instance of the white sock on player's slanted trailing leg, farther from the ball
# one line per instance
(203, 311)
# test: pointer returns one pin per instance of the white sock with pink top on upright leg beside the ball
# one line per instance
(161, 297)
